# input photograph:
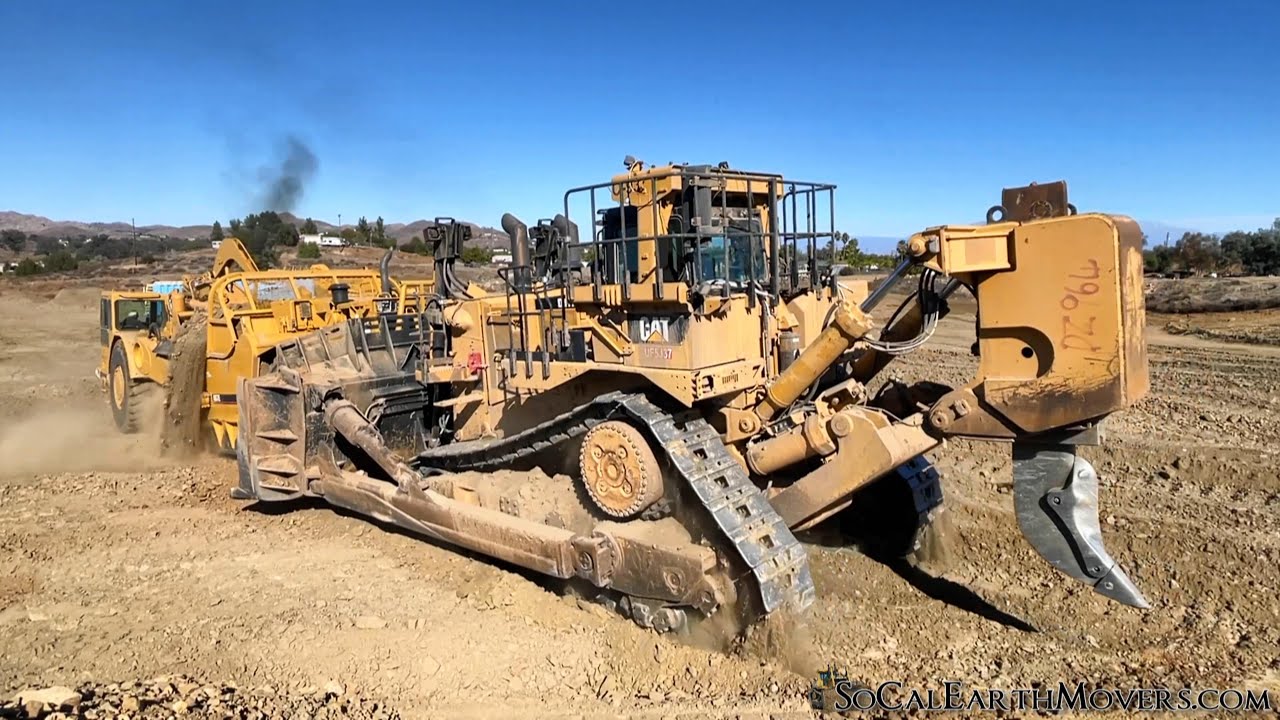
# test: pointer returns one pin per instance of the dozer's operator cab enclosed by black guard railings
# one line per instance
(708, 227)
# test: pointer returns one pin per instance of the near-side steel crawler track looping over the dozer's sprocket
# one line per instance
(694, 452)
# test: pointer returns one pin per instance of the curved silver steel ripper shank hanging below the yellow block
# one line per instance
(1057, 502)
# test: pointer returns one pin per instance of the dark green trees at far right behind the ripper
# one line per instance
(1236, 253)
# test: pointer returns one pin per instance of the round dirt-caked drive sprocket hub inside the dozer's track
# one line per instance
(621, 475)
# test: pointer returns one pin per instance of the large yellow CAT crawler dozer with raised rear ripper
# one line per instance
(696, 403)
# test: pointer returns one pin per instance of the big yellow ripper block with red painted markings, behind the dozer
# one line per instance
(1062, 335)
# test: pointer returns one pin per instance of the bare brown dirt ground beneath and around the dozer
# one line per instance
(117, 568)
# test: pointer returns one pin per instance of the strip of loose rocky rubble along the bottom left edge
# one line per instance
(170, 696)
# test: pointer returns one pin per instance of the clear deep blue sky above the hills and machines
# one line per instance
(920, 112)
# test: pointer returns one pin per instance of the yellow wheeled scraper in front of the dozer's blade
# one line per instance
(186, 345)
